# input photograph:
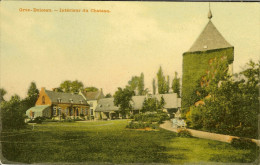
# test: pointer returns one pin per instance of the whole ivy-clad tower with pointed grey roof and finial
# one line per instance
(209, 45)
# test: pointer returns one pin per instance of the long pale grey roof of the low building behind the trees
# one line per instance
(107, 104)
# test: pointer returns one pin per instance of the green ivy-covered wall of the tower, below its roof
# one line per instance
(194, 66)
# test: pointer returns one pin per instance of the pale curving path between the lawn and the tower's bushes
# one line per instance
(204, 135)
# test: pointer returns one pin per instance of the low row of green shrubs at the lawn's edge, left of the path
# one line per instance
(151, 117)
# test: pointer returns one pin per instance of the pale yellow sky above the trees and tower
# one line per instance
(106, 49)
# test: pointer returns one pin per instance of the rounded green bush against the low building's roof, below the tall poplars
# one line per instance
(151, 104)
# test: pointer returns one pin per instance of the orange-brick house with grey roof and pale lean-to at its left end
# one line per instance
(59, 105)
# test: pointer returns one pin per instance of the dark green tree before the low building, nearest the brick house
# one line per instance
(122, 99)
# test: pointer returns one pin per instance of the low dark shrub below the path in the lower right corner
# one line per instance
(243, 143)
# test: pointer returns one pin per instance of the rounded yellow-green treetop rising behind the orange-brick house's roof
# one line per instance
(71, 86)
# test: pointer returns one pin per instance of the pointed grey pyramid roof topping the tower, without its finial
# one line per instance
(210, 38)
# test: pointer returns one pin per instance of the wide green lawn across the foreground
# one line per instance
(109, 141)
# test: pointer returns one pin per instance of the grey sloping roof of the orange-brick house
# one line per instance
(65, 97)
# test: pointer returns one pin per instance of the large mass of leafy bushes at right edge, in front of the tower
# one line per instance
(232, 107)
